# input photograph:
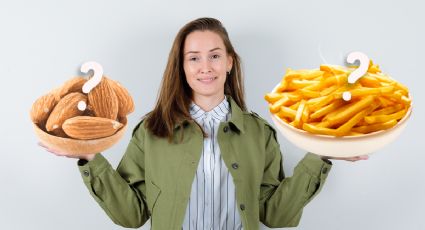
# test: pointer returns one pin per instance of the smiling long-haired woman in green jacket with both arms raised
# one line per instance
(199, 160)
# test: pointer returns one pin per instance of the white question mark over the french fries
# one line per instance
(357, 73)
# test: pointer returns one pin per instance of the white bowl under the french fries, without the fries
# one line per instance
(347, 146)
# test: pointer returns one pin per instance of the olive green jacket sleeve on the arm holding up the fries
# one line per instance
(282, 199)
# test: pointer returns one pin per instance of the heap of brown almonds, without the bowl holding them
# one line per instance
(108, 104)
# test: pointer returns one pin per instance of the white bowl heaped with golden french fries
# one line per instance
(307, 107)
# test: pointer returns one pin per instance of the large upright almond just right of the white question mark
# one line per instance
(103, 100)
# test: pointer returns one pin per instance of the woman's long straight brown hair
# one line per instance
(175, 95)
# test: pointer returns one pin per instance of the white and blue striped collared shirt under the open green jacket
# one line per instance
(212, 202)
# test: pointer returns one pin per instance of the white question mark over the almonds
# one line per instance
(92, 82)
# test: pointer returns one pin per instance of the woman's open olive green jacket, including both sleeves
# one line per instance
(154, 178)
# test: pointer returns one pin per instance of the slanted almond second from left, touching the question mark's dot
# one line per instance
(66, 108)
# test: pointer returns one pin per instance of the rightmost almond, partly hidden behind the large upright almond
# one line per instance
(125, 101)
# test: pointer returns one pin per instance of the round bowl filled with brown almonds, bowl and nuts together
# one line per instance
(61, 125)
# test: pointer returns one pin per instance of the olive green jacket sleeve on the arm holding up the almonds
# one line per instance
(121, 192)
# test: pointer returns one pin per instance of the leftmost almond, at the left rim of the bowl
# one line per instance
(42, 108)
